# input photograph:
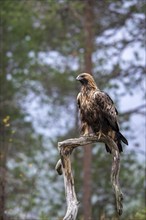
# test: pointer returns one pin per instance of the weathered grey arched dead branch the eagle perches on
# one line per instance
(63, 166)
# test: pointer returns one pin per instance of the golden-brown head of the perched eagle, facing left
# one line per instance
(86, 79)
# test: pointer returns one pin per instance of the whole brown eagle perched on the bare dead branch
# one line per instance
(97, 111)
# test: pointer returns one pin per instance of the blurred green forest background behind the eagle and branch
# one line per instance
(44, 45)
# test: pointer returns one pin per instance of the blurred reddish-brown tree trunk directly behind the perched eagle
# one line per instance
(88, 30)
